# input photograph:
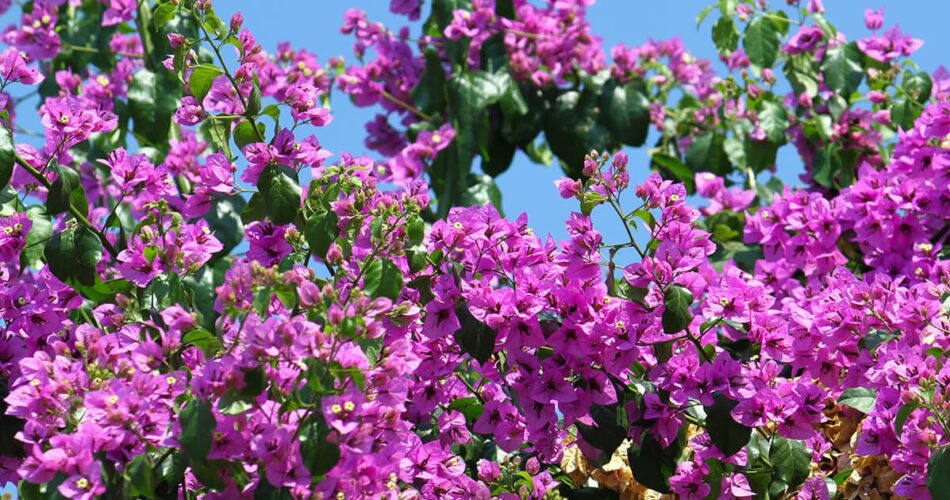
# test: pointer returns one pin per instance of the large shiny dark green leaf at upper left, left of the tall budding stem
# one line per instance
(153, 99)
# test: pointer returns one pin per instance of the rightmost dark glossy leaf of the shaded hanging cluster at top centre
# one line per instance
(625, 111)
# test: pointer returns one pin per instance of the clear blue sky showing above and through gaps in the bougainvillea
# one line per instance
(527, 187)
